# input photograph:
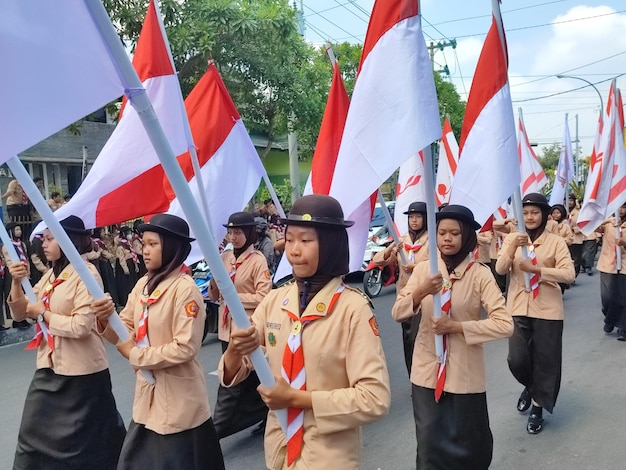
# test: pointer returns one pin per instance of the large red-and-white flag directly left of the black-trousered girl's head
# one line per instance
(489, 169)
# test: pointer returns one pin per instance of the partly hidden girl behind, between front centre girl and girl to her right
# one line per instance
(413, 244)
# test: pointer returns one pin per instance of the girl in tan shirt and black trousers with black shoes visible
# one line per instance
(535, 349)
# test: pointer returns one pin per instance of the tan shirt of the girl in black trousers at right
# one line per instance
(556, 264)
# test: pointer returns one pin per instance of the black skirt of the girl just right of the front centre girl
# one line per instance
(453, 433)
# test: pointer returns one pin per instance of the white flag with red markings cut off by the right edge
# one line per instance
(606, 183)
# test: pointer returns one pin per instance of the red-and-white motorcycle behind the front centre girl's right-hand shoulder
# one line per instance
(377, 277)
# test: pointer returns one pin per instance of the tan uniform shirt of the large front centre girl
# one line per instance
(345, 370)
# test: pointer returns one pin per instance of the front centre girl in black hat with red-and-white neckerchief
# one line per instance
(322, 344)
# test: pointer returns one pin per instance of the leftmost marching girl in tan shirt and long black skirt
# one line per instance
(69, 406)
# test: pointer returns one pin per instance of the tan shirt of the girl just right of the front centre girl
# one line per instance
(472, 288)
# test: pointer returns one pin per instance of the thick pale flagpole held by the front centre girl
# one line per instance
(139, 100)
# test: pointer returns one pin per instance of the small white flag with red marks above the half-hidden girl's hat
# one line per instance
(410, 188)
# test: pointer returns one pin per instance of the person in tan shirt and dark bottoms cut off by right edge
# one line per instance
(612, 277)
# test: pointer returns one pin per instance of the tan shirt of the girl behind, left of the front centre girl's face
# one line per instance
(252, 283)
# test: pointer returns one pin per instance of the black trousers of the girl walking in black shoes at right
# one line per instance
(535, 357)
